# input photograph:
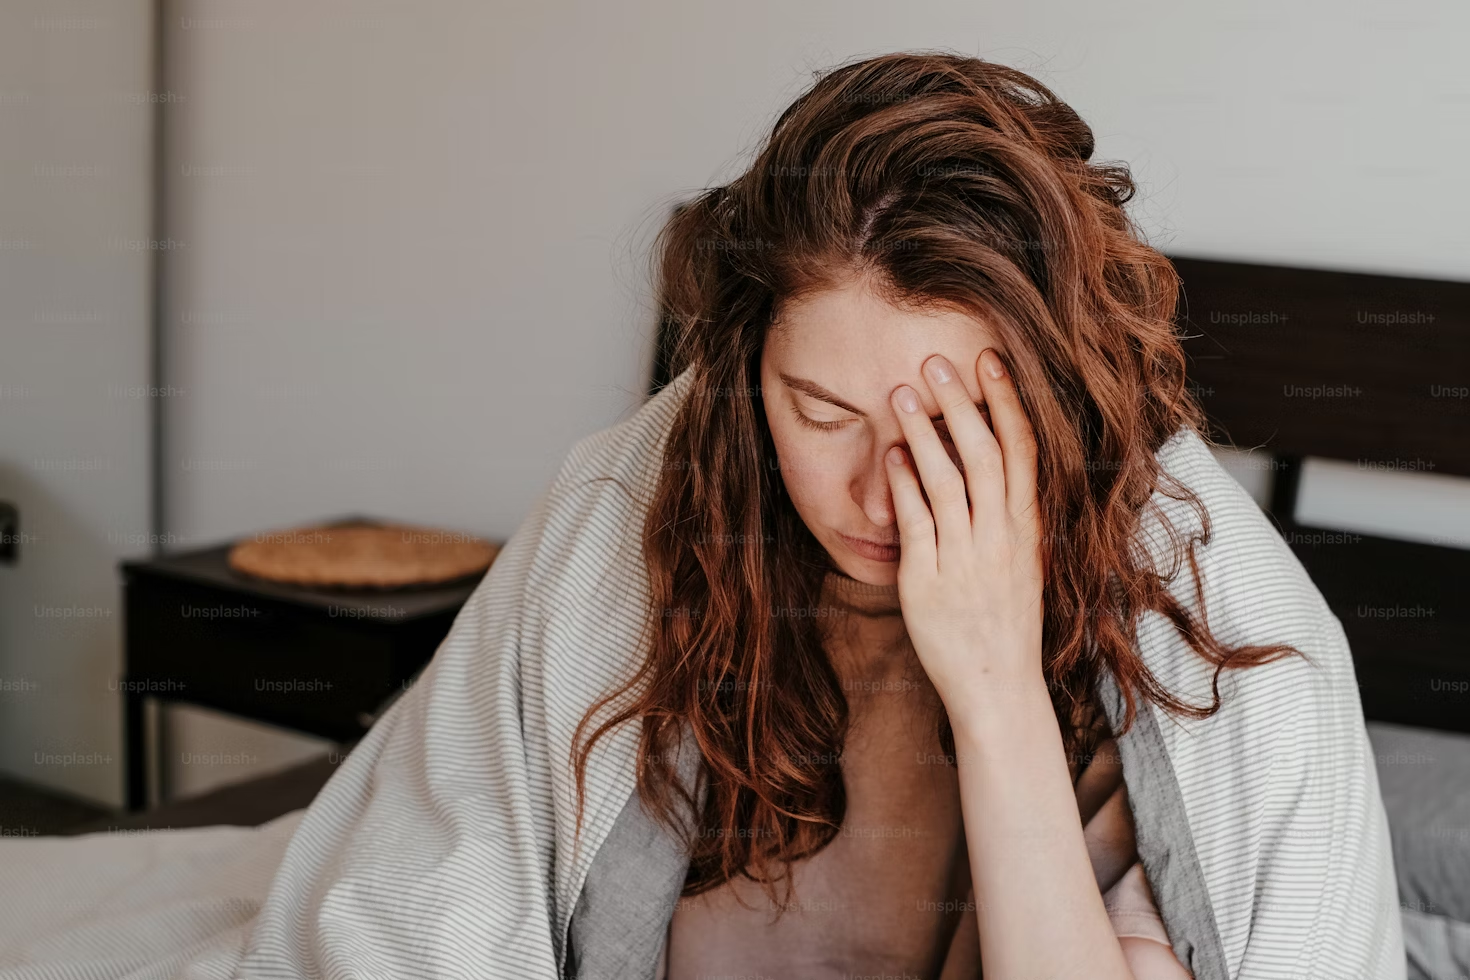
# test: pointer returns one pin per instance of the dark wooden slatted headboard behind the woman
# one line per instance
(1359, 368)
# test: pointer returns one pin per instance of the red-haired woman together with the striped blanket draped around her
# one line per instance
(890, 640)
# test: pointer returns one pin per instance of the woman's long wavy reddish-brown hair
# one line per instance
(947, 181)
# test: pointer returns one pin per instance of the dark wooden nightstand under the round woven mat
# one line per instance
(315, 660)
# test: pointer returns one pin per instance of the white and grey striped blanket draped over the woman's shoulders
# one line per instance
(443, 849)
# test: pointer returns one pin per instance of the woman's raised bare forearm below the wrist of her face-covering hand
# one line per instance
(1037, 898)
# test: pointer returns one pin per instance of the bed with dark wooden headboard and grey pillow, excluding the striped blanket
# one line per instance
(1303, 365)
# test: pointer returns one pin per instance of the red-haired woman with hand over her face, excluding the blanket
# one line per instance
(930, 368)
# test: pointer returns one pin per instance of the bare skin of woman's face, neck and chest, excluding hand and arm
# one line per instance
(884, 897)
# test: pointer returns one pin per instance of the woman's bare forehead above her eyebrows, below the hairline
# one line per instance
(859, 346)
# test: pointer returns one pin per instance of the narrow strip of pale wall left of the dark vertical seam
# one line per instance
(74, 371)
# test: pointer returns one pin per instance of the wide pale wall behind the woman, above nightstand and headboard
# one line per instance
(415, 233)
